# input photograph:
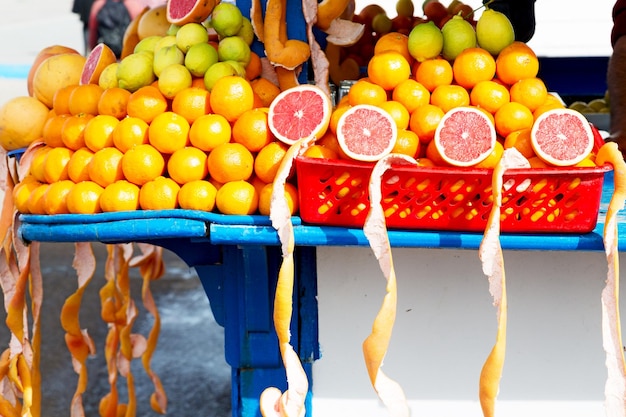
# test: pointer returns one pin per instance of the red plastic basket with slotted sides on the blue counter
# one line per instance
(334, 193)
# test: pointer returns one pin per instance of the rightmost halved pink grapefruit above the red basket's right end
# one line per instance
(562, 137)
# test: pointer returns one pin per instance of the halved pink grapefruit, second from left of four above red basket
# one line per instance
(366, 133)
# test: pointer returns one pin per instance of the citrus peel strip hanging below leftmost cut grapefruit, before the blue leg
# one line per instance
(273, 402)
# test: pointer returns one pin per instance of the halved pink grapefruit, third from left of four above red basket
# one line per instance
(465, 136)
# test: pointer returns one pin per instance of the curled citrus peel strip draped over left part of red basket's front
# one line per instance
(376, 344)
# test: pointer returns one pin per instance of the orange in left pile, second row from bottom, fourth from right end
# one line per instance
(142, 163)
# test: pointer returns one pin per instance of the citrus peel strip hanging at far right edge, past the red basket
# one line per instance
(615, 388)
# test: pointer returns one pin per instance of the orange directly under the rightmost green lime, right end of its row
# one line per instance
(516, 62)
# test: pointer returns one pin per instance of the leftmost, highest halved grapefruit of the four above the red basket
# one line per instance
(299, 112)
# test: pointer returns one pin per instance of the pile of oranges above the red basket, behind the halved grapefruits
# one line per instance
(418, 94)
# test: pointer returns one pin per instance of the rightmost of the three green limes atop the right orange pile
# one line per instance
(494, 31)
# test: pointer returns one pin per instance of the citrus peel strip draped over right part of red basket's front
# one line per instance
(490, 253)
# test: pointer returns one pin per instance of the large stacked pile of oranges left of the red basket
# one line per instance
(111, 150)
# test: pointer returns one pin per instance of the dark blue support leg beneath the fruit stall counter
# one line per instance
(240, 282)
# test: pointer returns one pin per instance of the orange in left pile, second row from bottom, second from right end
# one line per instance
(230, 162)
